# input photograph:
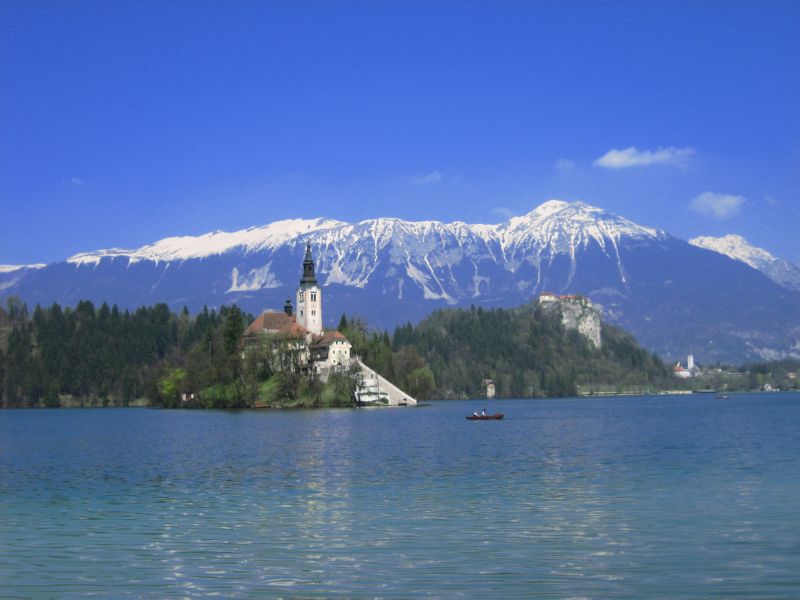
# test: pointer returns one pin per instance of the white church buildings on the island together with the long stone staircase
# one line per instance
(319, 351)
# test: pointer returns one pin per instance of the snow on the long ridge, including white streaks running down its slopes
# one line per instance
(445, 261)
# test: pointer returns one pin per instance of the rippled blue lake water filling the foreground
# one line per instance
(683, 496)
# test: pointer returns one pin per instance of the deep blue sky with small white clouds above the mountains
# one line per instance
(125, 122)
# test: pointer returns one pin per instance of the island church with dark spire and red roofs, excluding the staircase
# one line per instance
(321, 351)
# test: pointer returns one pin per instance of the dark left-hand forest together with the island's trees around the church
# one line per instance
(90, 356)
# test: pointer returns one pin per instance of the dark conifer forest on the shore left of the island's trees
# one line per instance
(102, 355)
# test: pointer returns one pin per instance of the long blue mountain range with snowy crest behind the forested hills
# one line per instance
(720, 300)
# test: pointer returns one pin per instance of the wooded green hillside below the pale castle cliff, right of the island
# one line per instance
(527, 352)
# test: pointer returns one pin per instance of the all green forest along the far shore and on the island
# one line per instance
(102, 356)
